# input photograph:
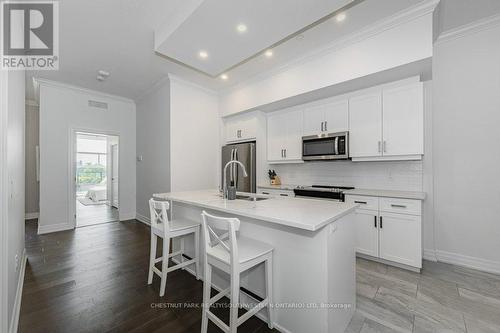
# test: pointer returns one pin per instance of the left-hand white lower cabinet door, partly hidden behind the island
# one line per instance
(366, 232)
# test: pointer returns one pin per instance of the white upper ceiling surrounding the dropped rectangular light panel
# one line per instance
(118, 36)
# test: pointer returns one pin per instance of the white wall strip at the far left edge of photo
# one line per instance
(12, 187)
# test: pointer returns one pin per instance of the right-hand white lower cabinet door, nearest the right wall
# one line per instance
(400, 238)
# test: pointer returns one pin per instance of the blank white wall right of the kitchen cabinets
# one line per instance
(466, 86)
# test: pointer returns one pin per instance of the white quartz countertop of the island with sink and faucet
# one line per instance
(299, 213)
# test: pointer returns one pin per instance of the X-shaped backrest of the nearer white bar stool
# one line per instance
(221, 231)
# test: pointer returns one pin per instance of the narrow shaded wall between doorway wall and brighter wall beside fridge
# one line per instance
(153, 144)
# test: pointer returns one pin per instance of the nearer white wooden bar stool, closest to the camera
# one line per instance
(233, 255)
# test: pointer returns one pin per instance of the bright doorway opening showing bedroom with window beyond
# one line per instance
(96, 178)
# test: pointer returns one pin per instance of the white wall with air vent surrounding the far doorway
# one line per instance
(63, 109)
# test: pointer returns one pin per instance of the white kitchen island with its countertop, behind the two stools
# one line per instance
(314, 254)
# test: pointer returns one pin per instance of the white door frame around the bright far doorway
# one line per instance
(72, 168)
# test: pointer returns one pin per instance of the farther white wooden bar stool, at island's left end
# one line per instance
(165, 229)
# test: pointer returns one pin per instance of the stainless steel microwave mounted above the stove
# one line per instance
(324, 147)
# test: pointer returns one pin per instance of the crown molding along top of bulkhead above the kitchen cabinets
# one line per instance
(405, 16)
